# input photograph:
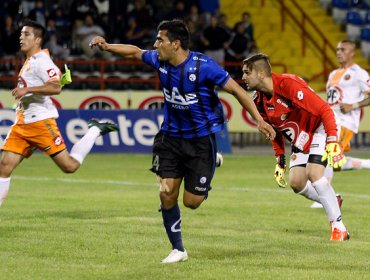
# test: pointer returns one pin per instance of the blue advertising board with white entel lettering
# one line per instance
(136, 134)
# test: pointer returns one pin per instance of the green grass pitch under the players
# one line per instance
(103, 223)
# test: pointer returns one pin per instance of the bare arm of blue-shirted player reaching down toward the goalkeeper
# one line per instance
(246, 101)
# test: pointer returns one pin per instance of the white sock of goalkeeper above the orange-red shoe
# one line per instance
(329, 202)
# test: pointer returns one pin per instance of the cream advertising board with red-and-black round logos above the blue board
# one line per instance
(238, 119)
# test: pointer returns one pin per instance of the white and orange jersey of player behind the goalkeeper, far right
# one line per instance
(347, 85)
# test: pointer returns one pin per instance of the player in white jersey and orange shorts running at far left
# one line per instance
(35, 126)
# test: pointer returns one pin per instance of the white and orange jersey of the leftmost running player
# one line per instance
(36, 71)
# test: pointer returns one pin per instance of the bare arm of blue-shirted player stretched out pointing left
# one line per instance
(121, 49)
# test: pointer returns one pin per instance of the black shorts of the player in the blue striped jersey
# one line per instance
(191, 159)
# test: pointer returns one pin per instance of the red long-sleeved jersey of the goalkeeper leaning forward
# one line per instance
(295, 111)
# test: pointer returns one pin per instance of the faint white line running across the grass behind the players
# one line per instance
(135, 184)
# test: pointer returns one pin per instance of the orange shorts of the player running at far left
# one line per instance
(44, 135)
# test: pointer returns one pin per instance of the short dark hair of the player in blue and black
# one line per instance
(176, 30)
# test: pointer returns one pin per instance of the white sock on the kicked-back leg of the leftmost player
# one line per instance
(84, 145)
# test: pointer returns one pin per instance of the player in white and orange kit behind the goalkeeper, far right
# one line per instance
(347, 88)
